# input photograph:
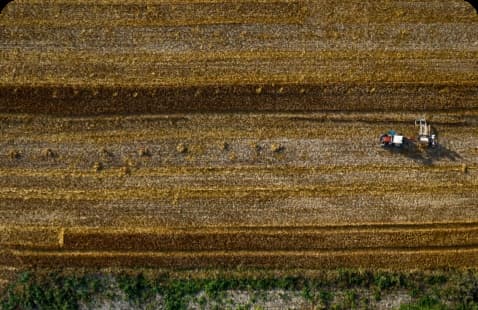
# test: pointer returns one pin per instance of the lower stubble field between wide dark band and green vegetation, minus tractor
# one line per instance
(318, 202)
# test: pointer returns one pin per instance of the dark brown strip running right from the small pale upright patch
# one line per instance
(269, 240)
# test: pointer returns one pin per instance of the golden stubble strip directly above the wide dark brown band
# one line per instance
(102, 71)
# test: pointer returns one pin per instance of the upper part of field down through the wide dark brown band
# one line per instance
(75, 58)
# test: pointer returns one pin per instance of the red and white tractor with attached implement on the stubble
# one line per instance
(425, 136)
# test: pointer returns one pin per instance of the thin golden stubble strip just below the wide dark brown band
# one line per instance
(216, 131)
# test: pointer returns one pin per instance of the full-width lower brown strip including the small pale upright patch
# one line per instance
(353, 237)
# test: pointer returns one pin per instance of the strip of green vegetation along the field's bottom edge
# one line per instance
(341, 289)
